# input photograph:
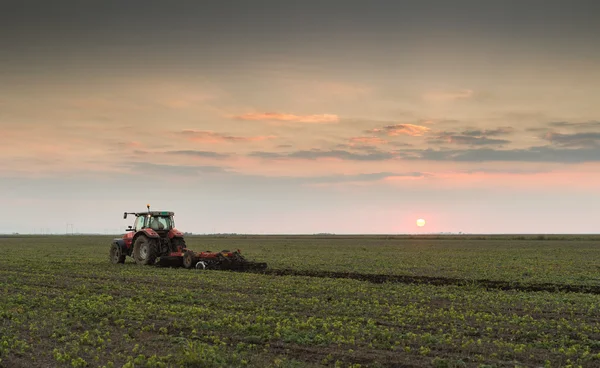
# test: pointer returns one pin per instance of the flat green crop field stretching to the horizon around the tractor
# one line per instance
(363, 301)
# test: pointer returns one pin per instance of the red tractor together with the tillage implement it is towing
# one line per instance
(154, 240)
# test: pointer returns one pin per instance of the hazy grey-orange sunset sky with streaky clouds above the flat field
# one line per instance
(301, 117)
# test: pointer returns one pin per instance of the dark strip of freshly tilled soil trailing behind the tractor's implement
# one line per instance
(438, 281)
